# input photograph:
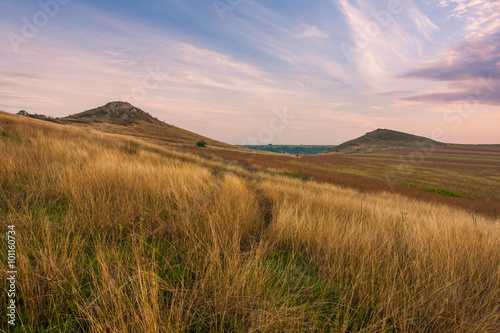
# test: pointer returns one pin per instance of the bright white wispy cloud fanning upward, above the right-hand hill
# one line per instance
(383, 41)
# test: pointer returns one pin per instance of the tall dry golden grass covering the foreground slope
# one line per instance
(120, 235)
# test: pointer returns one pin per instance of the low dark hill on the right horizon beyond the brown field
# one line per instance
(384, 139)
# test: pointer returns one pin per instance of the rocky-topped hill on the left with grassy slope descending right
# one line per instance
(124, 118)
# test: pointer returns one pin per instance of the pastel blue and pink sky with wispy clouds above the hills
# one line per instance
(259, 72)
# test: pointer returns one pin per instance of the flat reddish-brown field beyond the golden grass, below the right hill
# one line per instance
(473, 173)
